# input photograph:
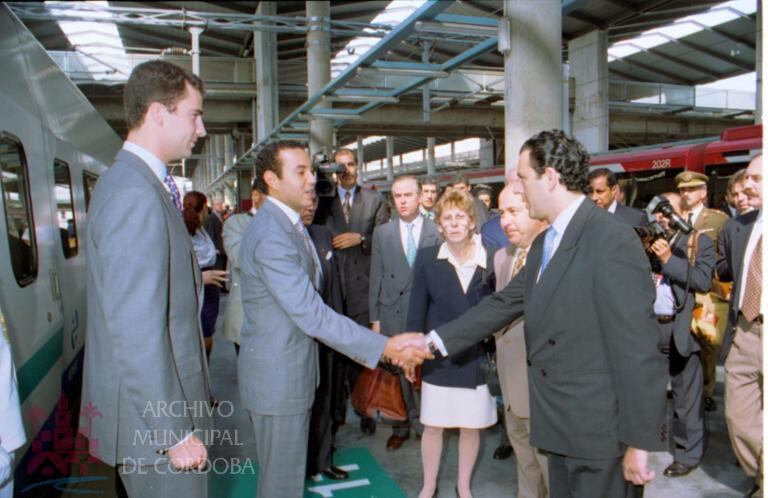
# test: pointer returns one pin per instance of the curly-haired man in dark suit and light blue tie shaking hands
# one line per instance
(597, 381)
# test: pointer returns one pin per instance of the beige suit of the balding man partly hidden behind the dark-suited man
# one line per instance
(532, 474)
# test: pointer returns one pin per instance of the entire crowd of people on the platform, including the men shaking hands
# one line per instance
(591, 326)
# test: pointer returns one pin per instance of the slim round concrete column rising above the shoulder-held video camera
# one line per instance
(319, 70)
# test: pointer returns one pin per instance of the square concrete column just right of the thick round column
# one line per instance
(588, 62)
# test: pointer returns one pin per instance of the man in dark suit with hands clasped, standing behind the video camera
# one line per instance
(351, 215)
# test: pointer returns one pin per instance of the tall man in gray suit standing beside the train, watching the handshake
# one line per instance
(145, 367)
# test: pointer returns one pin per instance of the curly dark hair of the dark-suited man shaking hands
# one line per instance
(566, 155)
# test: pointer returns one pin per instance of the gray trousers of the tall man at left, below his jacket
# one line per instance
(162, 480)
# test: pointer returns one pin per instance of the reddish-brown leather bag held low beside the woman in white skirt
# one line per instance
(377, 395)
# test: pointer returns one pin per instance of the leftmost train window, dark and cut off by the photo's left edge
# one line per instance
(18, 210)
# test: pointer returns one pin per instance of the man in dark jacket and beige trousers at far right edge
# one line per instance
(740, 261)
